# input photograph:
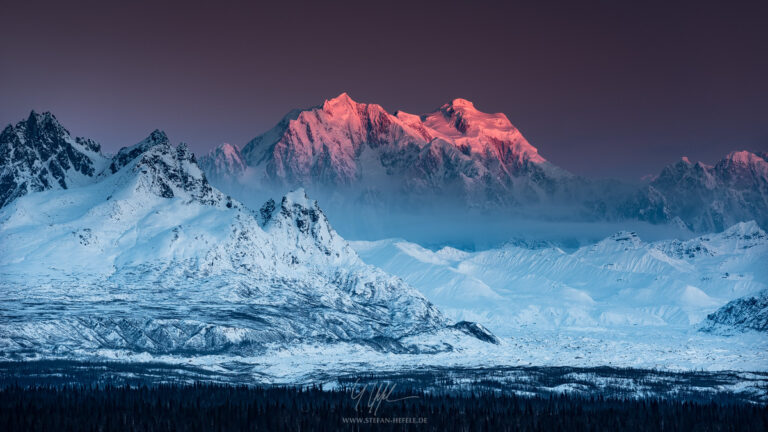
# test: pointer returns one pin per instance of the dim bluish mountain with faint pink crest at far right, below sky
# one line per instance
(704, 197)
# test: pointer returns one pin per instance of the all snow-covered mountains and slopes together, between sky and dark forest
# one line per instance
(138, 256)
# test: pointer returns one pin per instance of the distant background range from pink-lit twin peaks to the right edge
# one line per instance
(360, 154)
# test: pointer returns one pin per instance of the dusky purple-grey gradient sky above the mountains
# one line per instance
(602, 88)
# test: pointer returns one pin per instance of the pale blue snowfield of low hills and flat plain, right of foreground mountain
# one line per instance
(620, 302)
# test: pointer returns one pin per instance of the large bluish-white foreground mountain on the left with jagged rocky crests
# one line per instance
(150, 258)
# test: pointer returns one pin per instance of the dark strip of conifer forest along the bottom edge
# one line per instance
(205, 407)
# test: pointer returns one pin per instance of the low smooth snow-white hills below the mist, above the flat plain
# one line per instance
(621, 282)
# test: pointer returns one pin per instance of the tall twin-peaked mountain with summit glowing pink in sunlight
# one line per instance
(363, 150)
